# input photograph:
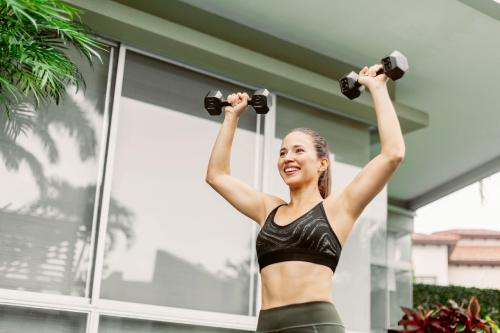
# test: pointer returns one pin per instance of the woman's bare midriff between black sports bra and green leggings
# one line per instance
(289, 282)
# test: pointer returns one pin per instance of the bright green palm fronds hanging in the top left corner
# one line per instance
(33, 37)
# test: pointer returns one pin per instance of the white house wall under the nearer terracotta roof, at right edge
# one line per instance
(480, 276)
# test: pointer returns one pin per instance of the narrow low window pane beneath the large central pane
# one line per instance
(123, 325)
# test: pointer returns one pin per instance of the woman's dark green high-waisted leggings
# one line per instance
(308, 317)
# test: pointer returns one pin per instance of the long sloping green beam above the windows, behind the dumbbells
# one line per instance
(200, 49)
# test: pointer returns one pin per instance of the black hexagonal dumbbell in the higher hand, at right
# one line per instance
(394, 65)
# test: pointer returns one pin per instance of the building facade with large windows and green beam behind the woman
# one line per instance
(107, 224)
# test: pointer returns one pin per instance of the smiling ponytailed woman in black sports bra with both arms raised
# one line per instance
(299, 244)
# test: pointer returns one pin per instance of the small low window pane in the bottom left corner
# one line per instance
(26, 320)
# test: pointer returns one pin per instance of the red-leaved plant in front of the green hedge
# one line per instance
(446, 319)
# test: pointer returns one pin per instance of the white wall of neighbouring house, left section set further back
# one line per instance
(431, 261)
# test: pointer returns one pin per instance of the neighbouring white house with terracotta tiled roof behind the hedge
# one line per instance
(465, 257)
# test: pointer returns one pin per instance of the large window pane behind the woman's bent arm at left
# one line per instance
(177, 242)
